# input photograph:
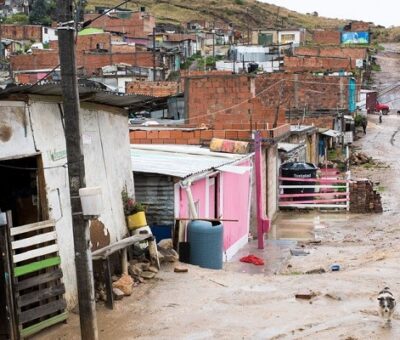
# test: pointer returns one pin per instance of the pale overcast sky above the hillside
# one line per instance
(382, 12)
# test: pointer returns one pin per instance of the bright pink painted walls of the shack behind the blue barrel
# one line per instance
(233, 190)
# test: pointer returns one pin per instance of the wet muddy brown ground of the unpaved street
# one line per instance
(248, 302)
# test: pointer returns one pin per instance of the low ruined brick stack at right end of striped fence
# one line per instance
(363, 198)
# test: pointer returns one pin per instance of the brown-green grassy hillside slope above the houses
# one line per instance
(240, 12)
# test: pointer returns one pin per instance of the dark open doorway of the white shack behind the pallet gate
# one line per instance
(22, 195)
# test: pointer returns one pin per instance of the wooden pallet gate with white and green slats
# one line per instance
(37, 275)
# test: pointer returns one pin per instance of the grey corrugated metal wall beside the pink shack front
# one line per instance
(156, 192)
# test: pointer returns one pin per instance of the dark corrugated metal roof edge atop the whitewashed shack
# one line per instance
(92, 92)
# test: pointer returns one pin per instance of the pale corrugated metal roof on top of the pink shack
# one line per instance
(178, 161)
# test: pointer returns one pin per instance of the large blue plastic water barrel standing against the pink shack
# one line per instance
(206, 244)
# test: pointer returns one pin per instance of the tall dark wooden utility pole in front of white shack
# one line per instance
(76, 170)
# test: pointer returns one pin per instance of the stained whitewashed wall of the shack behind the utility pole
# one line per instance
(38, 127)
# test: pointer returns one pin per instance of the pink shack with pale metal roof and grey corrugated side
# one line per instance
(179, 181)
